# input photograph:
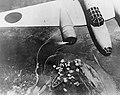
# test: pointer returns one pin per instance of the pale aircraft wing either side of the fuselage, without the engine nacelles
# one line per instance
(47, 14)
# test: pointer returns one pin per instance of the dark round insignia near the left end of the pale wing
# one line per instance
(13, 17)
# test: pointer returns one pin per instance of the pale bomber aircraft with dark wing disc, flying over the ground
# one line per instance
(68, 14)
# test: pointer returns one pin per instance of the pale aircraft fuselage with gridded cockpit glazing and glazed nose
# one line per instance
(97, 26)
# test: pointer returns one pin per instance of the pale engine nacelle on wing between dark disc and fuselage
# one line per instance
(67, 28)
